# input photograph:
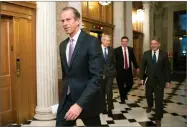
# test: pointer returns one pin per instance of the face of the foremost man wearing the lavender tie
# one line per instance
(69, 23)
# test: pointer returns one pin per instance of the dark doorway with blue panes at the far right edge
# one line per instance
(179, 44)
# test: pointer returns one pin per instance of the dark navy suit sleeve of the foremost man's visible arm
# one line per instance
(96, 65)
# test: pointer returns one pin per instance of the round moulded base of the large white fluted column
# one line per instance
(44, 114)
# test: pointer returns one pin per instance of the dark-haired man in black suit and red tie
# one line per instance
(124, 57)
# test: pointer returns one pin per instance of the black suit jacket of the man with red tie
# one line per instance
(120, 59)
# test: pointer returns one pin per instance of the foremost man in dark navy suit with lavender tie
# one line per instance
(82, 67)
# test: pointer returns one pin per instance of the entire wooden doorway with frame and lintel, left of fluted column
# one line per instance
(18, 62)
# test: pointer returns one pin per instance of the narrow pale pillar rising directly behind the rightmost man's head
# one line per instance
(146, 26)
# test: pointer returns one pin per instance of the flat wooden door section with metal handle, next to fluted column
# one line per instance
(25, 50)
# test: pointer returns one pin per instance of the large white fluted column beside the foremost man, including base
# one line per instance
(46, 49)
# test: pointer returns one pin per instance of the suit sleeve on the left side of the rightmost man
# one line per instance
(143, 67)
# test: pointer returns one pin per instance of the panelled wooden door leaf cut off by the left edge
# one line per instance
(6, 107)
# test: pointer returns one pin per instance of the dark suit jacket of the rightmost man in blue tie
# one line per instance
(160, 71)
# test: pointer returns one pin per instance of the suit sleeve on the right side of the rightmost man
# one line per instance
(167, 68)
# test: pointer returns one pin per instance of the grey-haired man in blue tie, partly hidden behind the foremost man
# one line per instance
(109, 72)
